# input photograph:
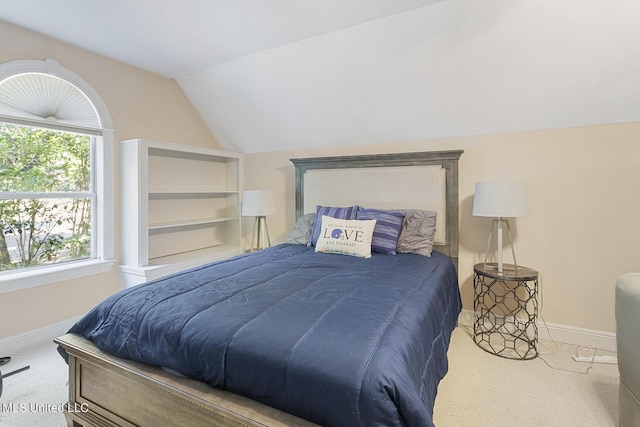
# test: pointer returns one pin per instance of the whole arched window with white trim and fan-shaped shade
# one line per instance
(56, 176)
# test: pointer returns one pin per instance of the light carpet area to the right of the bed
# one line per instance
(481, 389)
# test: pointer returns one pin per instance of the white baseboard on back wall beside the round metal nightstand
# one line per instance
(561, 333)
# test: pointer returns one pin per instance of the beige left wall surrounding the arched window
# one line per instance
(142, 105)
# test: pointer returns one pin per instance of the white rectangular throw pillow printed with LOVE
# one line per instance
(347, 237)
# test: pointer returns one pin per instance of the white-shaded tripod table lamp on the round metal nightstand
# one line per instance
(501, 200)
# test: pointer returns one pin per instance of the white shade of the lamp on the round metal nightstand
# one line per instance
(501, 199)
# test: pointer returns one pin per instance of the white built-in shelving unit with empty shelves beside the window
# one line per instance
(180, 207)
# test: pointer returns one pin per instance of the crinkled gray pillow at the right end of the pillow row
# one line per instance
(418, 232)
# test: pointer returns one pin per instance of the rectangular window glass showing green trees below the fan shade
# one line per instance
(47, 197)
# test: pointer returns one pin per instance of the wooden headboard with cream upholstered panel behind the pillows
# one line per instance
(420, 180)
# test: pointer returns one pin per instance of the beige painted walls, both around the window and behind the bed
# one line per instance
(583, 186)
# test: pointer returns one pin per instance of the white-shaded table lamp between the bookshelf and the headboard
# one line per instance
(259, 204)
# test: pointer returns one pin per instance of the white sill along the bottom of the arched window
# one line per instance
(12, 282)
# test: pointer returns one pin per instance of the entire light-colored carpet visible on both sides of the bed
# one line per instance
(479, 390)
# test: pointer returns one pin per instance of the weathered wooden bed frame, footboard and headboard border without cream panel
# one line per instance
(109, 391)
